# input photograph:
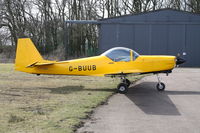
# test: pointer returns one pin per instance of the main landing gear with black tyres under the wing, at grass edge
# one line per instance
(123, 86)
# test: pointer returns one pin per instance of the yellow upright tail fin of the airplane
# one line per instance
(26, 54)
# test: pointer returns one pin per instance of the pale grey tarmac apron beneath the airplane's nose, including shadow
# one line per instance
(145, 110)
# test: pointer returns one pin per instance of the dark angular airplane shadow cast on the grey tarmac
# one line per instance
(150, 101)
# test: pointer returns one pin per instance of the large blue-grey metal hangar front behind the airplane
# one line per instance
(163, 32)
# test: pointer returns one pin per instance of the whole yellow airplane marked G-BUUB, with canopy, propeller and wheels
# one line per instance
(117, 61)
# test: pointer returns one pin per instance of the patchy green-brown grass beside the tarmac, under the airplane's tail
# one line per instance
(48, 104)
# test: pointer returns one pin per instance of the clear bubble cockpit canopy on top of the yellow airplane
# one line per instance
(121, 54)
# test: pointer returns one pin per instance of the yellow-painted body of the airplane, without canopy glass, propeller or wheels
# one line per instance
(29, 60)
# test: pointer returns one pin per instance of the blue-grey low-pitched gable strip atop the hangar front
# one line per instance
(161, 15)
